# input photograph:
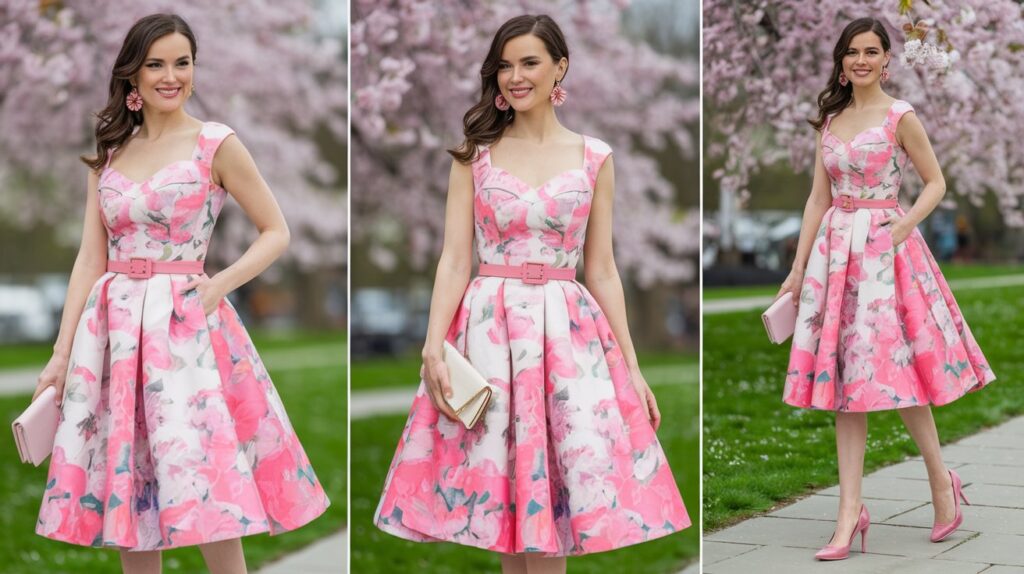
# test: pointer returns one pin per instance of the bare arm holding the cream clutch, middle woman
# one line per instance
(451, 280)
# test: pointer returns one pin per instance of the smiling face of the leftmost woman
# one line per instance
(166, 77)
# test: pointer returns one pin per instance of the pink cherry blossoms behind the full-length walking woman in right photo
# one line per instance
(961, 65)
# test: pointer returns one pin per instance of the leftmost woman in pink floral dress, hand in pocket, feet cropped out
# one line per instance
(172, 433)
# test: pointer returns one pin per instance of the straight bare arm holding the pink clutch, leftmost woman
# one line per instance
(90, 267)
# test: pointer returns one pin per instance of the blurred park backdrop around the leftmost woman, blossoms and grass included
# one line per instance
(277, 74)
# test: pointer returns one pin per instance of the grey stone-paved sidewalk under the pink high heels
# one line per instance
(992, 541)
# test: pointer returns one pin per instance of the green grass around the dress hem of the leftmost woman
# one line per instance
(316, 401)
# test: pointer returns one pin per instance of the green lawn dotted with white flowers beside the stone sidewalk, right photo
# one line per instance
(759, 452)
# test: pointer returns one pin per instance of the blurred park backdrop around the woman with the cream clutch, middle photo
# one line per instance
(633, 82)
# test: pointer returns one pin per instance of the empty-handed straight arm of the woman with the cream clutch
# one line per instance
(604, 282)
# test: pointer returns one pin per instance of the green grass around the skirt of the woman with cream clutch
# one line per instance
(374, 443)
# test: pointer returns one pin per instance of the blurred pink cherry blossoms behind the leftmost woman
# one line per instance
(269, 70)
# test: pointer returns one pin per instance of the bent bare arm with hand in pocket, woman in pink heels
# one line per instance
(911, 135)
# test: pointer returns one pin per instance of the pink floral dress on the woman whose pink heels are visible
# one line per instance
(878, 328)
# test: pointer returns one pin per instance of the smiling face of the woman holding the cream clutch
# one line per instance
(527, 72)
